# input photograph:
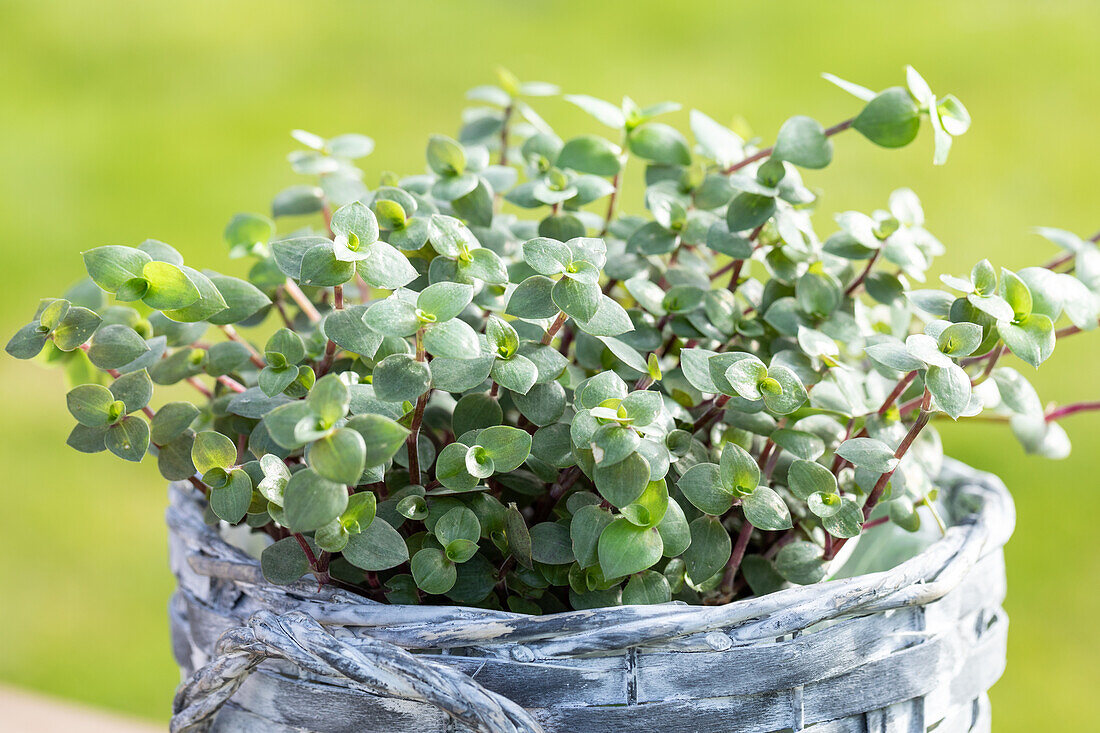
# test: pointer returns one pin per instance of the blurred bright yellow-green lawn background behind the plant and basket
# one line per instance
(125, 121)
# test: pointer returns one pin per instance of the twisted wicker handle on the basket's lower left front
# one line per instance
(372, 666)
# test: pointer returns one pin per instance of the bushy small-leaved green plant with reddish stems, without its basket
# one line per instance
(491, 385)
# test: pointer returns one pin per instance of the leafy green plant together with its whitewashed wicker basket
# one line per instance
(499, 454)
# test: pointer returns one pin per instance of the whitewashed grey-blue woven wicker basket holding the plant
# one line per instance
(912, 649)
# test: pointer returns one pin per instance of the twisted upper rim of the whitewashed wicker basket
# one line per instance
(922, 579)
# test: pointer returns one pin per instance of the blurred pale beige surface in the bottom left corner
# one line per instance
(23, 712)
